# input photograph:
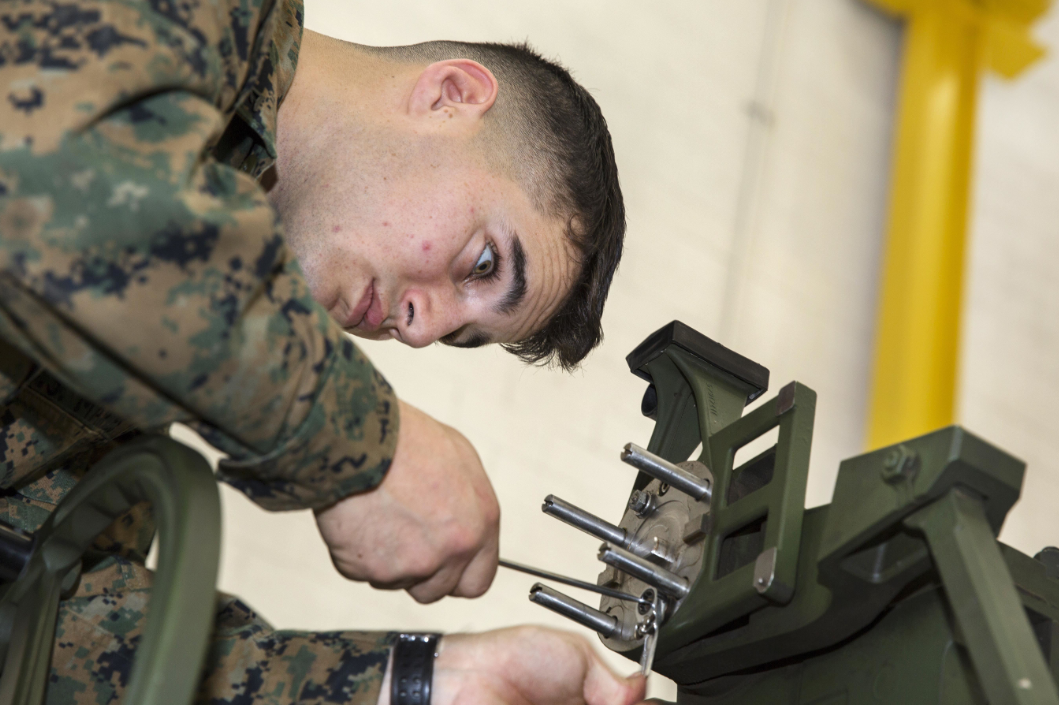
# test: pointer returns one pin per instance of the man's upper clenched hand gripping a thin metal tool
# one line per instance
(430, 528)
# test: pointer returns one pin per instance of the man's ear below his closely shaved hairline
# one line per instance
(454, 88)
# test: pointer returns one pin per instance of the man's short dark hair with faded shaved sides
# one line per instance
(555, 142)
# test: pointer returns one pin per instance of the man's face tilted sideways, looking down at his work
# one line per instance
(436, 248)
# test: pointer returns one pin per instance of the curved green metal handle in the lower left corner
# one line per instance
(184, 495)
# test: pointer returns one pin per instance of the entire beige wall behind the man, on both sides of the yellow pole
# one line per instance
(753, 141)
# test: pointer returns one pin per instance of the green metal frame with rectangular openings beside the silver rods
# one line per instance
(699, 403)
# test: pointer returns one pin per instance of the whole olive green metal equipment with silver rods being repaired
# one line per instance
(898, 592)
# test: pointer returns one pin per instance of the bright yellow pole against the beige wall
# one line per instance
(948, 43)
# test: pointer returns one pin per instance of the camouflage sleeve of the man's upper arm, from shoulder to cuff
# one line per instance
(156, 282)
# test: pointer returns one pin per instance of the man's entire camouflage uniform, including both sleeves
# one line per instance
(145, 281)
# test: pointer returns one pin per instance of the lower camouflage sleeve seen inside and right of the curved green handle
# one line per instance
(248, 662)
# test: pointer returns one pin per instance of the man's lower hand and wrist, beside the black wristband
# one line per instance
(525, 666)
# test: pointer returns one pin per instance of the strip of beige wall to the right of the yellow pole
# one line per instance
(1010, 375)
